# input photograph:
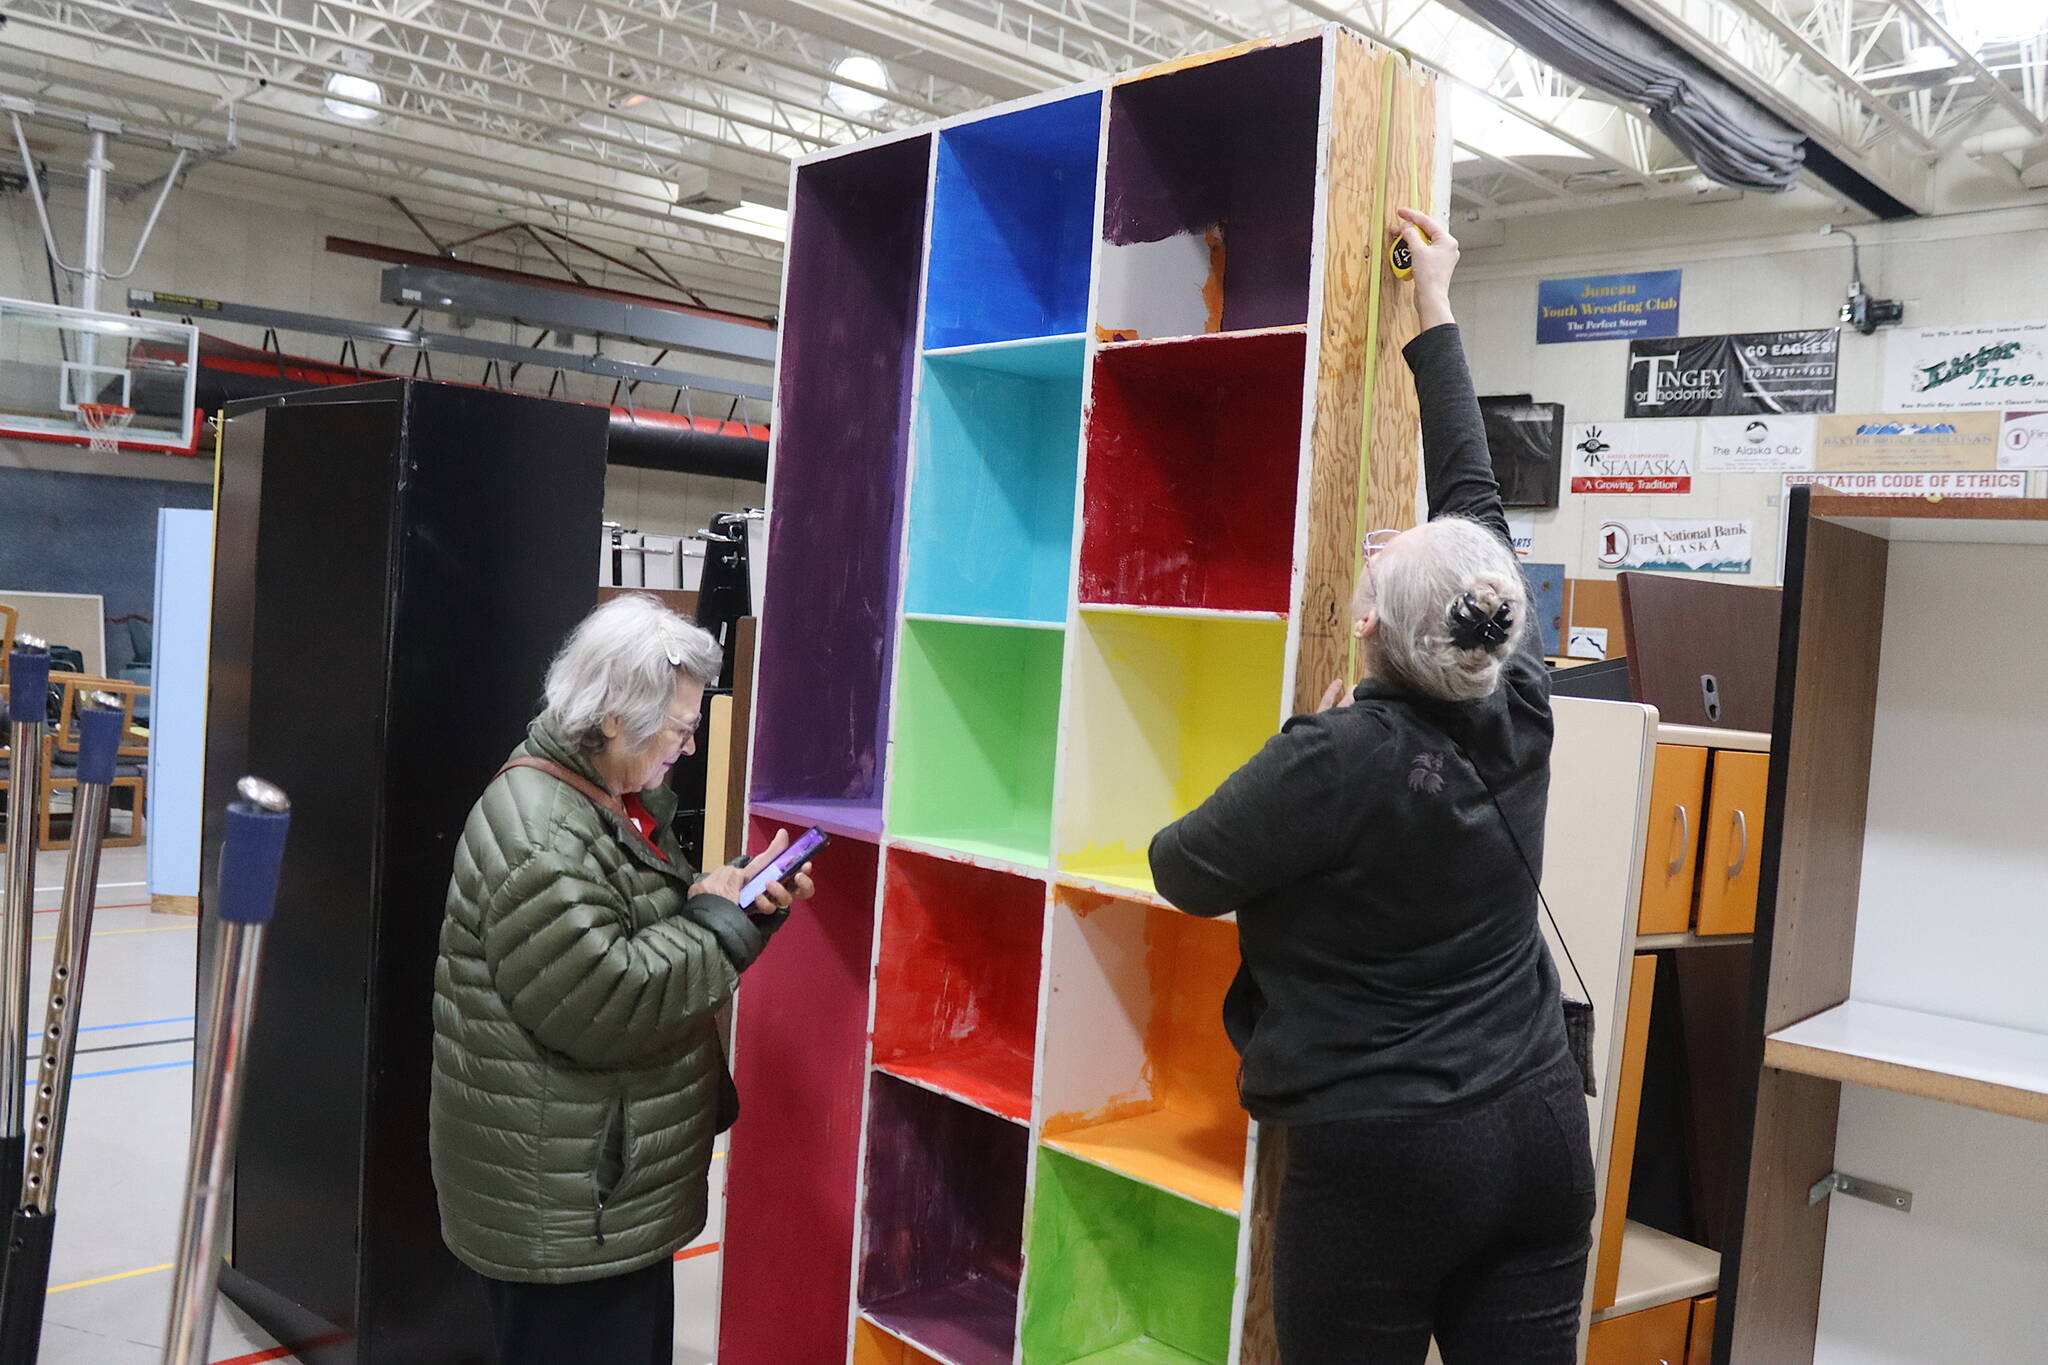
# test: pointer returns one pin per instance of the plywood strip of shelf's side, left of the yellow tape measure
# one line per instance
(1351, 257)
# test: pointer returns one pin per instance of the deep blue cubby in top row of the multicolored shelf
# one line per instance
(1013, 226)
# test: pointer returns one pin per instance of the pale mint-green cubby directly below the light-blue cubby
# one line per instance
(978, 715)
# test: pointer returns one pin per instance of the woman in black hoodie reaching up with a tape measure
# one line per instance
(1398, 1010)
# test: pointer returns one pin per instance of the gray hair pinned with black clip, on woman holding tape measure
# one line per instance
(1416, 584)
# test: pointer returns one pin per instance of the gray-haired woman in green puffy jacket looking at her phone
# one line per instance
(579, 1075)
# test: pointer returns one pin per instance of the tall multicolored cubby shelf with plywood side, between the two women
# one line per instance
(1064, 511)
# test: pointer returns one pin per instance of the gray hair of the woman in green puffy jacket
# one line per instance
(624, 662)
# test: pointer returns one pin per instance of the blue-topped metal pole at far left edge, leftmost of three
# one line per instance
(28, 705)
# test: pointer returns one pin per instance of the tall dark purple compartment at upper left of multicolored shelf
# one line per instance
(841, 441)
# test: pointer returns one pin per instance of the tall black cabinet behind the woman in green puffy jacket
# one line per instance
(396, 566)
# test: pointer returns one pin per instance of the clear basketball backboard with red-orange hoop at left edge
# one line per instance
(56, 359)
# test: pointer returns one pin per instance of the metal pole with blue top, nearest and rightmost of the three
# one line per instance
(253, 856)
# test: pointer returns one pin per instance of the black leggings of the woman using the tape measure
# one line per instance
(1471, 1227)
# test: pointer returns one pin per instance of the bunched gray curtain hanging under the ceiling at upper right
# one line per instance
(1730, 136)
